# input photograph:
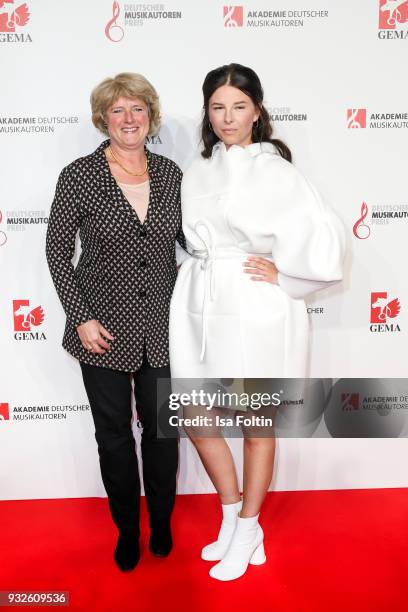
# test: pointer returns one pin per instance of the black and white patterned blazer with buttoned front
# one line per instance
(127, 270)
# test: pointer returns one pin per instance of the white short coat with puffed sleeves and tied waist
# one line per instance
(223, 324)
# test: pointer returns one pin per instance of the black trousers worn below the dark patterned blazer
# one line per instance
(109, 393)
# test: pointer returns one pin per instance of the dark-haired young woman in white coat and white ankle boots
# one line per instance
(260, 239)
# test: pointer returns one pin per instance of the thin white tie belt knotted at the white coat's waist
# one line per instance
(208, 257)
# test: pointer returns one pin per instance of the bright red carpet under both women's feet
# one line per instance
(326, 551)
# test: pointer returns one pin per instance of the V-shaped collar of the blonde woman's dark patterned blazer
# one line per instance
(114, 194)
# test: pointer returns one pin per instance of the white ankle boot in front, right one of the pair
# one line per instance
(246, 547)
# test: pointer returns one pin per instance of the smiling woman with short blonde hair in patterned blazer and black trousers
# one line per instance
(125, 203)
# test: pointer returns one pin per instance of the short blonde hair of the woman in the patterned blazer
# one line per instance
(128, 85)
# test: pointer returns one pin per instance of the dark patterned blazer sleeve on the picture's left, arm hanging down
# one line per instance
(62, 230)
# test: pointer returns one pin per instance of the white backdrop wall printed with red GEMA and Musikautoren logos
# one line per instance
(335, 87)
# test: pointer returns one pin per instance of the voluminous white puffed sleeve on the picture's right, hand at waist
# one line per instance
(309, 241)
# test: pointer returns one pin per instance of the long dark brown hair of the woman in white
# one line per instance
(248, 82)
